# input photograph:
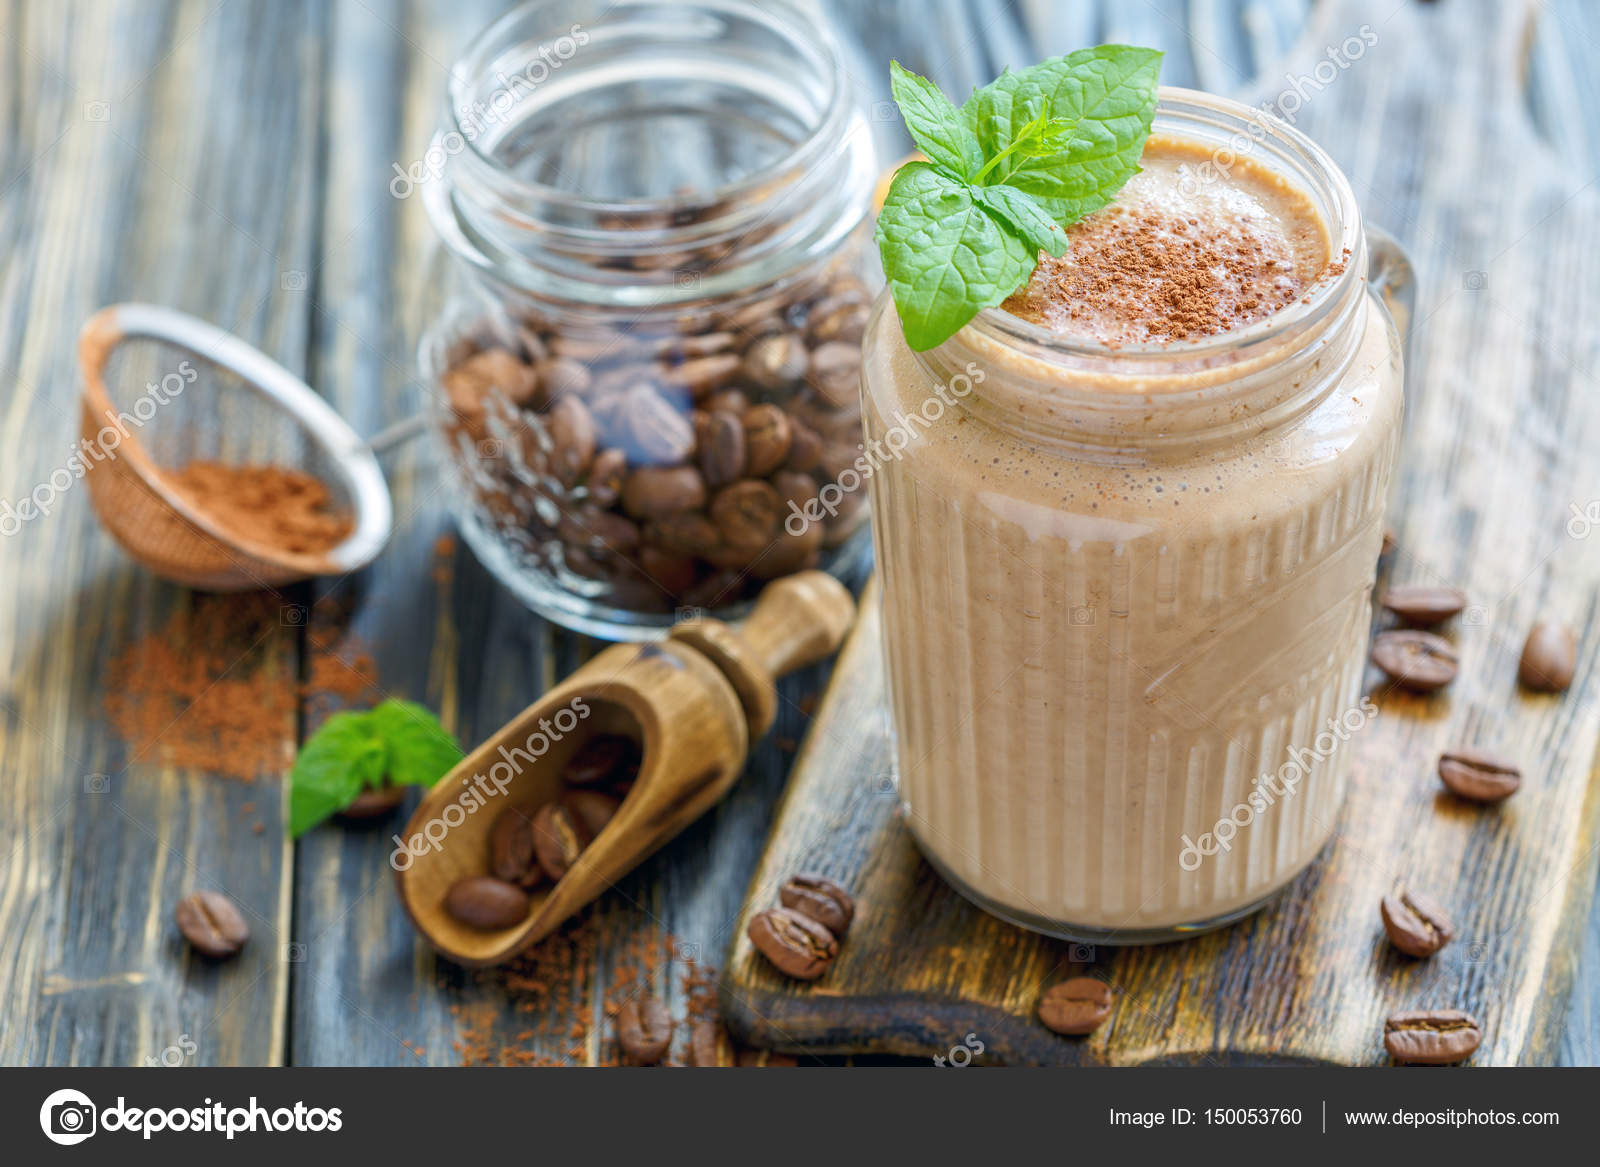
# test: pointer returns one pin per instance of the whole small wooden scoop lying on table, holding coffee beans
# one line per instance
(694, 704)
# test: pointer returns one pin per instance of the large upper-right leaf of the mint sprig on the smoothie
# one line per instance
(1098, 106)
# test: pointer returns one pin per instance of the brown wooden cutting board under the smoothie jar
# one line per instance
(1495, 492)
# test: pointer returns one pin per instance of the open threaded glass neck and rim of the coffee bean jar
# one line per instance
(793, 161)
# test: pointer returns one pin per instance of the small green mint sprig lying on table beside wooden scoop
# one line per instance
(396, 742)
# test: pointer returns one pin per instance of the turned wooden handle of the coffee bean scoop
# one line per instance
(798, 622)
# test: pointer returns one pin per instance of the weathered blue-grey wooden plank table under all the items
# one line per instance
(236, 161)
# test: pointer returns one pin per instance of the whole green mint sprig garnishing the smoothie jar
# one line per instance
(1007, 174)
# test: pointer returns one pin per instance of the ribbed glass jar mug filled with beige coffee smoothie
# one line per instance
(1127, 590)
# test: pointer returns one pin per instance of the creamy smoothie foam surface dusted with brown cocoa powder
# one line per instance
(1186, 251)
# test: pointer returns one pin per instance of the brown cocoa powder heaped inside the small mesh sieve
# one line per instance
(271, 507)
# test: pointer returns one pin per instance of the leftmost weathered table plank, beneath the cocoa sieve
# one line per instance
(113, 190)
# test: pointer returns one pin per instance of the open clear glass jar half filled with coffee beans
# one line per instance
(650, 300)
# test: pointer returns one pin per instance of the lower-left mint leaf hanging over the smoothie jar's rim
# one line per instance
(945, 255)
